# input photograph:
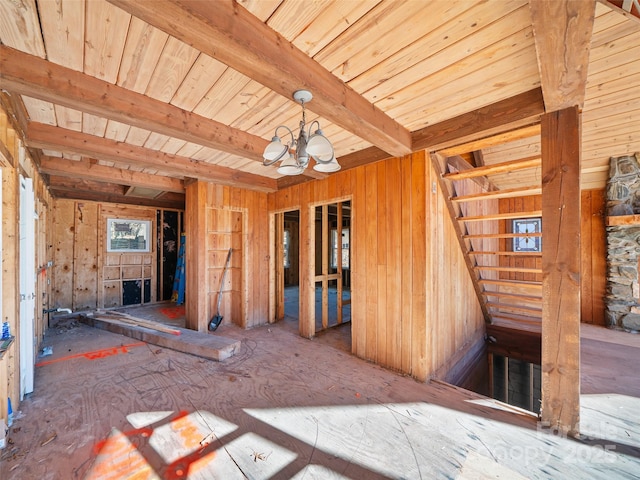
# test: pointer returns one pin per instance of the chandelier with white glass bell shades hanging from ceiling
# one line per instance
(294, 156)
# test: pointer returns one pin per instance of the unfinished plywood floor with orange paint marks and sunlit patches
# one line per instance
(106, 405)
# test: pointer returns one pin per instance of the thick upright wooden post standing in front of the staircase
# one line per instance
(561, 270)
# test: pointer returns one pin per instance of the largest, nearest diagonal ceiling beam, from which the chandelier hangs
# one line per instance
(229, 33)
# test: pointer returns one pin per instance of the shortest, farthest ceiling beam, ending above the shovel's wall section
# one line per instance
(90, 171)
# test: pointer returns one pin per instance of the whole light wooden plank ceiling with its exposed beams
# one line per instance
(137, 96)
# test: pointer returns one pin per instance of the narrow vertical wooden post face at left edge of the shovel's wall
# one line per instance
(196, 288)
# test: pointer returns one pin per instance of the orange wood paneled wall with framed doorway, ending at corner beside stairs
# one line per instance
(413, 304)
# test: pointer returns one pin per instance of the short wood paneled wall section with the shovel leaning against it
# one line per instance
(218, 217)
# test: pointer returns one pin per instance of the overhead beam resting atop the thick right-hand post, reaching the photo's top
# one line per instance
(562, 31)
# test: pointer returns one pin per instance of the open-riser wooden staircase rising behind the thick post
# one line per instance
(505, 268)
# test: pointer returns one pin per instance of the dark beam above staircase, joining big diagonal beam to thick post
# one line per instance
(522, 109)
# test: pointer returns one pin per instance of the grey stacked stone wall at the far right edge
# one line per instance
(622, 297)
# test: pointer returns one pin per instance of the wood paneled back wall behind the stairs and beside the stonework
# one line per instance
(593, 246)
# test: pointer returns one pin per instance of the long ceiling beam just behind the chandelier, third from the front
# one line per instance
(43, 136)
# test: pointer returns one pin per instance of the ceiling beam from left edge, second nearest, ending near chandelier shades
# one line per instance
(29, 75)
